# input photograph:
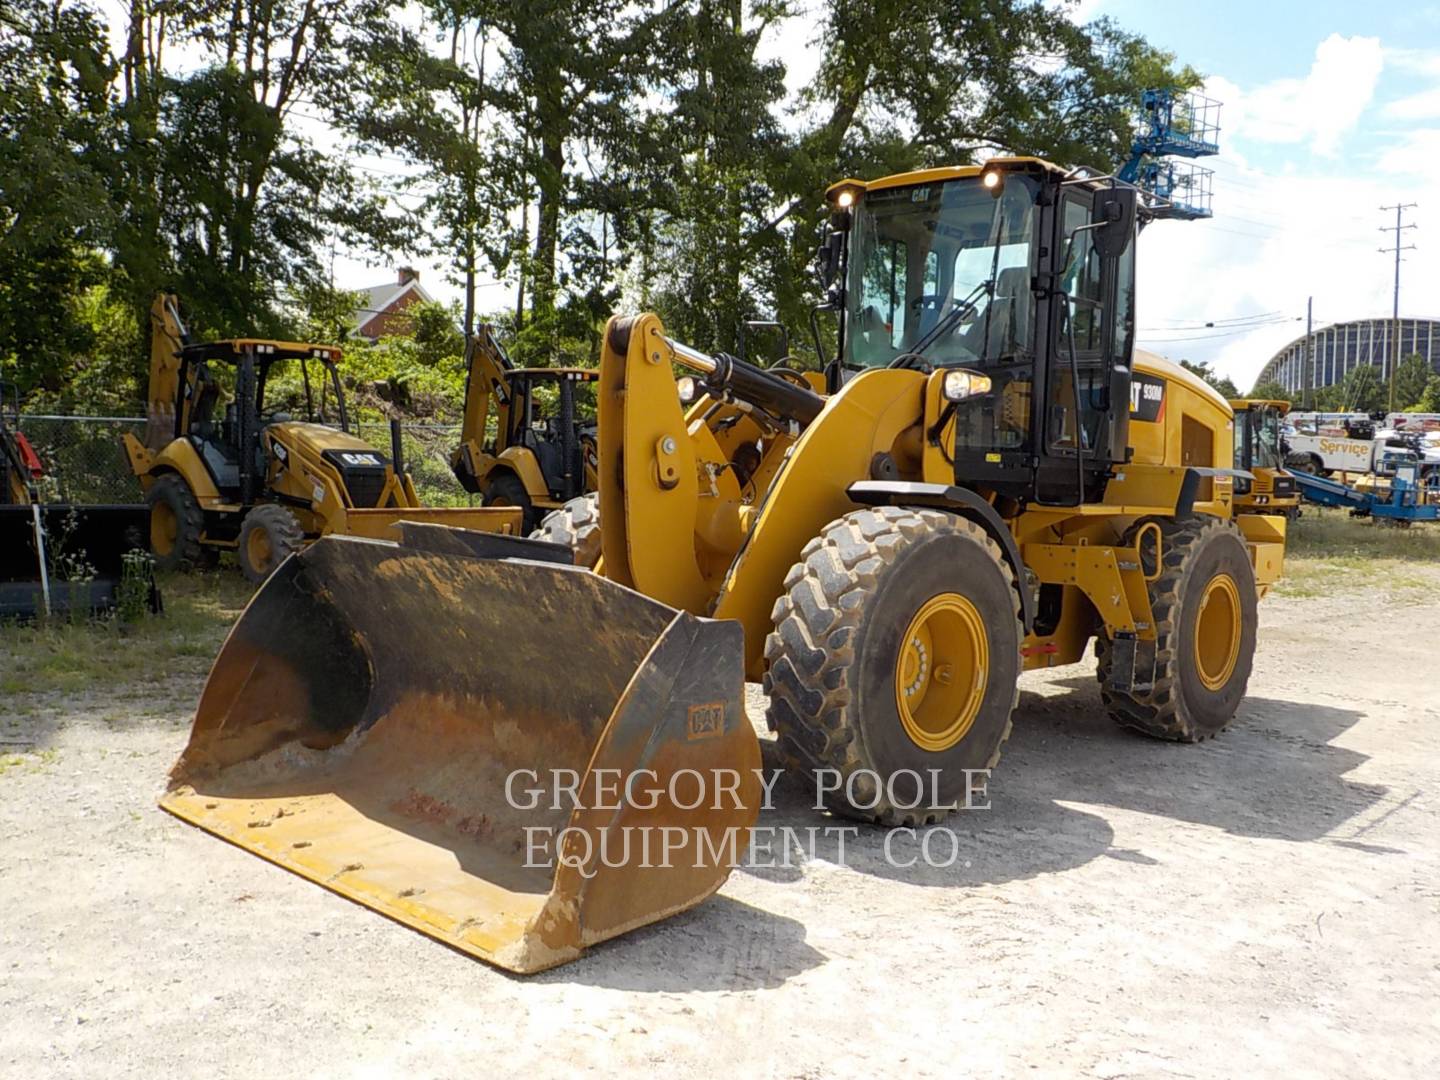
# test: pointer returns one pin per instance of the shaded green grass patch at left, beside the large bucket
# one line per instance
(104, 654)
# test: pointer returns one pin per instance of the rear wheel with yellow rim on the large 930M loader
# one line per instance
(1205, 611)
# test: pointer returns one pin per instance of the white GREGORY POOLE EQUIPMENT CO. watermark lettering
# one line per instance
(588, 850)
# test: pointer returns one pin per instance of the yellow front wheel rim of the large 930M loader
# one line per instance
(942, 672)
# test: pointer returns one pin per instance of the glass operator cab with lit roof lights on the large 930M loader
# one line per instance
(1022, 279)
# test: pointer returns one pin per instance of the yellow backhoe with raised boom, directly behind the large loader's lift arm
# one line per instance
(534, 462)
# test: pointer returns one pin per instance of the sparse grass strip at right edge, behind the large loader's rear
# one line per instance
(1330, 552)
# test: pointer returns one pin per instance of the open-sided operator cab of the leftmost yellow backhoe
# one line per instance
(247, 372)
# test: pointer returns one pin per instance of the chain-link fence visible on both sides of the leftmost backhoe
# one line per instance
(86, 463)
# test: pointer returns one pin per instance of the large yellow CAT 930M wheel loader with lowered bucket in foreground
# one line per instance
(987, 480)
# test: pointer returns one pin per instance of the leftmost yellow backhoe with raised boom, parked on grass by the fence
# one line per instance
(248, 477)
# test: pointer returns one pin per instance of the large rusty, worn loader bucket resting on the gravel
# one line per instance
(392, 722)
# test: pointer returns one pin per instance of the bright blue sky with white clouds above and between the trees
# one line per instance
(1330, 112)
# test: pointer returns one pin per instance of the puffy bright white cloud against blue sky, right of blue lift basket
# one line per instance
(1320, 109)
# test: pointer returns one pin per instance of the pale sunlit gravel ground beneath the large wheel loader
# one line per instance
(1264, 904)
